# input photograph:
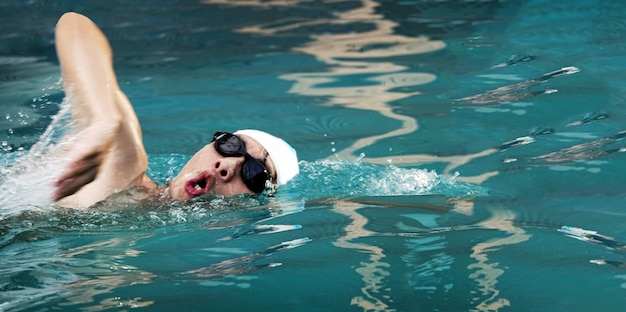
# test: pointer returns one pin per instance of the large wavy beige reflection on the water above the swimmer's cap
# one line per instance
(358, 54)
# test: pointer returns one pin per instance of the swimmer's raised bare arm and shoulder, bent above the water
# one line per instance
(108, 155)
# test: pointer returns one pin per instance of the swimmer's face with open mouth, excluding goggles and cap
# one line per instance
(208, 172)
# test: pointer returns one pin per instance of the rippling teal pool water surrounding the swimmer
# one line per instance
(456, 156)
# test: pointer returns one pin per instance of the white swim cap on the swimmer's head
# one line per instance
(283, 155)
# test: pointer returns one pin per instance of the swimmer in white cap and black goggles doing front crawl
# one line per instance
(108, 156)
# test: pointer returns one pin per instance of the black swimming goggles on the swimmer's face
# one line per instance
(254, 173)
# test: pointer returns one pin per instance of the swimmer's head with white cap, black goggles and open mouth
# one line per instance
(247, 161)
